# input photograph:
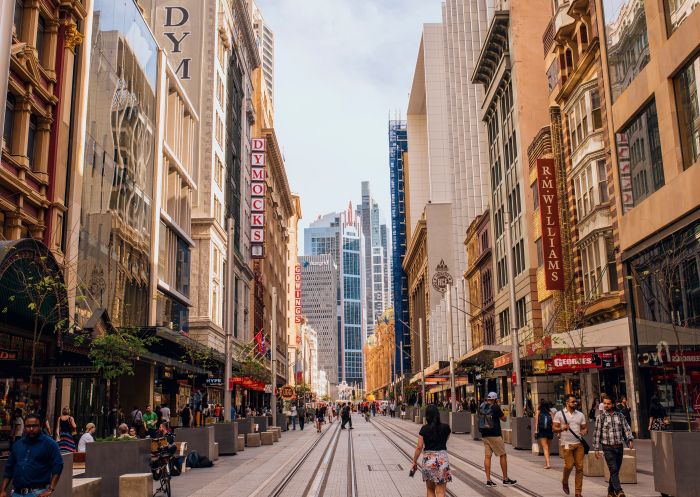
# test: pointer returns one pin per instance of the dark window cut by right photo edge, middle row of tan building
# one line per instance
(686, 85)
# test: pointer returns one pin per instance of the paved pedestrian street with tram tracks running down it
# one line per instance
(373, 460)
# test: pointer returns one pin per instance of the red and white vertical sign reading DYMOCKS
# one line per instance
(257, 200)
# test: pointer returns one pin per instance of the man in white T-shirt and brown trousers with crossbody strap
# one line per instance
(571, 425)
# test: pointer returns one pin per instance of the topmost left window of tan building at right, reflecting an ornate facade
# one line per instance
(627, 42)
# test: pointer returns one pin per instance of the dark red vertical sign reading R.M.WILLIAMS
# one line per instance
(551, 230)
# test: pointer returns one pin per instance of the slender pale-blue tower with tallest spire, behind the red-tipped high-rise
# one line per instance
(375, 256)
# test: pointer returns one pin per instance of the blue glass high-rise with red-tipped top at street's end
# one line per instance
(341, 236)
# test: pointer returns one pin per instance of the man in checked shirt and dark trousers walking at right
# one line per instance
(611, 435)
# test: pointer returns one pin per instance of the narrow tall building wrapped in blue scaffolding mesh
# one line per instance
(398, 150)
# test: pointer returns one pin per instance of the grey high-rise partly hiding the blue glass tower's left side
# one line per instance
(319, 307)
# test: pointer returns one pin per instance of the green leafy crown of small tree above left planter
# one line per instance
(114, 354)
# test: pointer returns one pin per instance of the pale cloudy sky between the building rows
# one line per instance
(341, 68)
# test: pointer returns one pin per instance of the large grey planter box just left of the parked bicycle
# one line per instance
(110, 460)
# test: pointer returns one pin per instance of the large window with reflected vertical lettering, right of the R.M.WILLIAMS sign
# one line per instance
(639, 158)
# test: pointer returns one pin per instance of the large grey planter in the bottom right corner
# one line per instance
(674, 456)
